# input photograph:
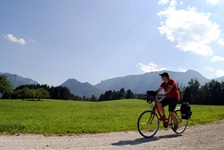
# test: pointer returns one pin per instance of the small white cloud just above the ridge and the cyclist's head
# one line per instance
(151, 67)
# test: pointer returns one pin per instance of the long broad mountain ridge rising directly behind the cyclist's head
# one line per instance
(152, 80)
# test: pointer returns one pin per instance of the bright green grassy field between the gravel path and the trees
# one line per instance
(75, 117)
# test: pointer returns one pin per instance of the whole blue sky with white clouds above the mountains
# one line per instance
(51, 41)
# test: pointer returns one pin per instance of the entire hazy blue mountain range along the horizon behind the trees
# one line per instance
(137, 83)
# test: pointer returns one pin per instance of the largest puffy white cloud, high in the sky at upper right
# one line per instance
(192, 31)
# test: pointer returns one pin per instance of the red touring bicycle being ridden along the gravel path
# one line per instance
(149, 120)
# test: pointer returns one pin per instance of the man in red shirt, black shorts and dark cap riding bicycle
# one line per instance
(172, 96)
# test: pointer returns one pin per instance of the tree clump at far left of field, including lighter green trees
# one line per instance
(34, 91)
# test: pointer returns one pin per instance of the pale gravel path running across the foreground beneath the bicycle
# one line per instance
(201, 137)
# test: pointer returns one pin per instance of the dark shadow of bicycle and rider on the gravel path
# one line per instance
(144, 140)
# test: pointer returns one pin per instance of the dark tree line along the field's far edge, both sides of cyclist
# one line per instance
(212, 93)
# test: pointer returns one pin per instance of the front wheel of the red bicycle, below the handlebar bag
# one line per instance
(148, 124)
